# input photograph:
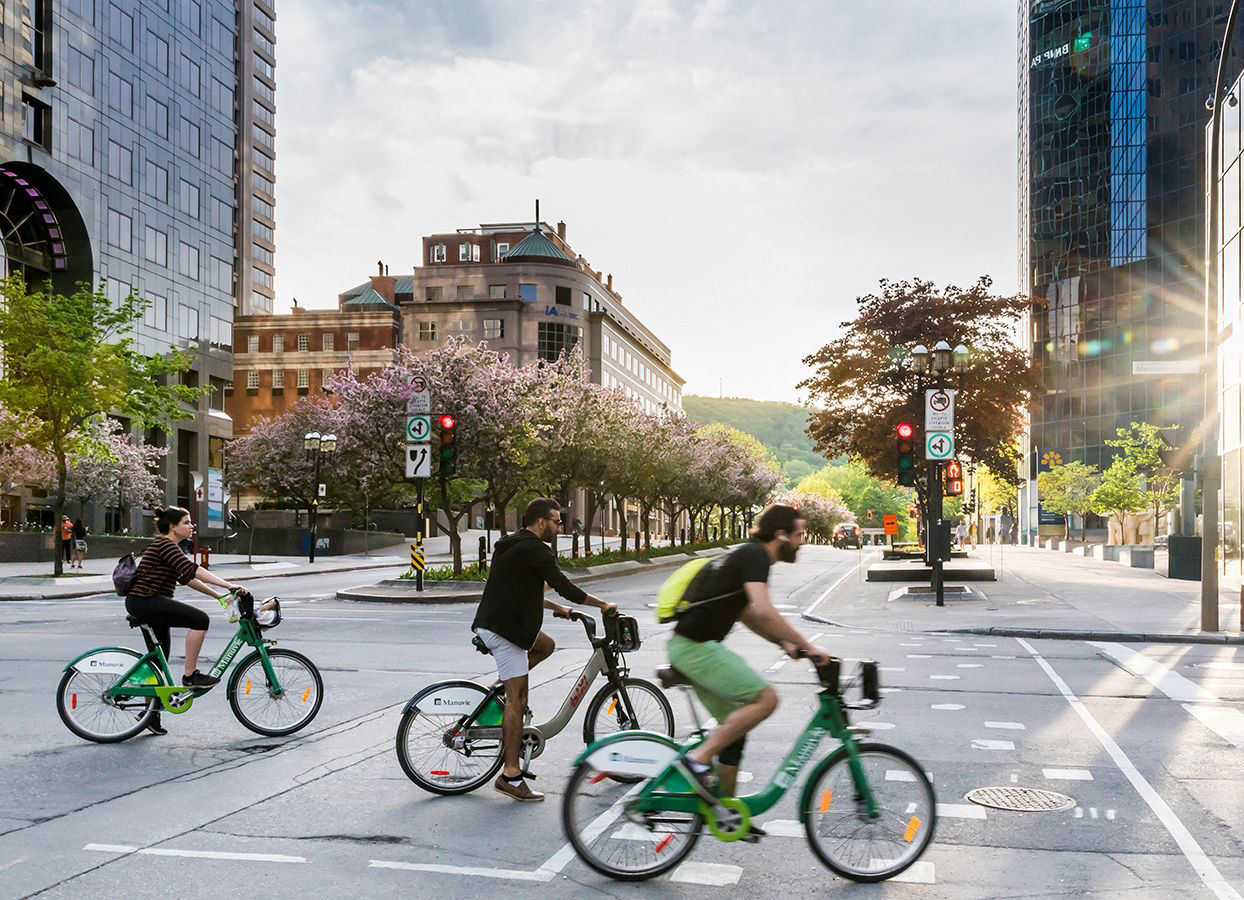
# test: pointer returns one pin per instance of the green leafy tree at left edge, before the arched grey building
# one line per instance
(69, 359)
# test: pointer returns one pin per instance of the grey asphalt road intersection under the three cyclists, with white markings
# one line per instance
(1148, 741)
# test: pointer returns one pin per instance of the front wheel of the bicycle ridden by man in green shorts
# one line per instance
(843, 835)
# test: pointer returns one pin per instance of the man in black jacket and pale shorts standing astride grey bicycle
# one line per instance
(509, 619)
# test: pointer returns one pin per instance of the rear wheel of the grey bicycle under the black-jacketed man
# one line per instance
(426, 746)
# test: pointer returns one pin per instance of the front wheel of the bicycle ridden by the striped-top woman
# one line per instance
(263, 710)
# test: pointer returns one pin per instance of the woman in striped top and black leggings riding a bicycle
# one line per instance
(151, 601)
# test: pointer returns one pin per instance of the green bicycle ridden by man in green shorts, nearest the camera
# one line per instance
(868, 810)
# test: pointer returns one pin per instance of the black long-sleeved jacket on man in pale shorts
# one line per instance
(513, 602)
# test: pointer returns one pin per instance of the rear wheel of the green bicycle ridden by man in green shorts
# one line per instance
(614, 842)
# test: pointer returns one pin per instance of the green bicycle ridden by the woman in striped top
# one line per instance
(109, 694)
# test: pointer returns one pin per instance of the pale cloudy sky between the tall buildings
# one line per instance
(745, 169)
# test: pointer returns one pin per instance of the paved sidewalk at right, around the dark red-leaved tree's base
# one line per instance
(1041, 594)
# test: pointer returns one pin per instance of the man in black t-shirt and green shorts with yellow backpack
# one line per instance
(735, 588)
